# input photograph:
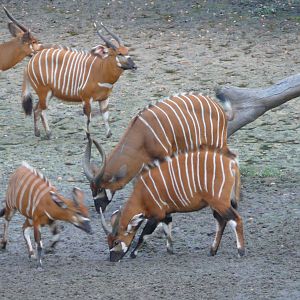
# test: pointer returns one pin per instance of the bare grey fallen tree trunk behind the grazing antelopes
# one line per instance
(249, 104)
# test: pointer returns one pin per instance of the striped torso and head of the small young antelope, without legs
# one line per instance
(32, 194)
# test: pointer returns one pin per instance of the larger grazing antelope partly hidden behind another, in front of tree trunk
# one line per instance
(176, 124)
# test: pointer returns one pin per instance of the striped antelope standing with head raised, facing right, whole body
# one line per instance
(75, 76)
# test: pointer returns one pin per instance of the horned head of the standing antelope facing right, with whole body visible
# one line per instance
(118, 50)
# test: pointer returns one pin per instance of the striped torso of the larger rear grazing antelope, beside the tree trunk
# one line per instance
(184, 122)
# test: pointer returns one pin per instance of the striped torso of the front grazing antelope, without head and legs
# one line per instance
(188, 182)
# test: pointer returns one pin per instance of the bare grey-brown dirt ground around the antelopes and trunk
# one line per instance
(179, 46)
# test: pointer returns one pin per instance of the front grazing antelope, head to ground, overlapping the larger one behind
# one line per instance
(184, 183)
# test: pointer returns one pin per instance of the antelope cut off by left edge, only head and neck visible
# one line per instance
(23, 44)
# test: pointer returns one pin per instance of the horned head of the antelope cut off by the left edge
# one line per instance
(28, 43)
